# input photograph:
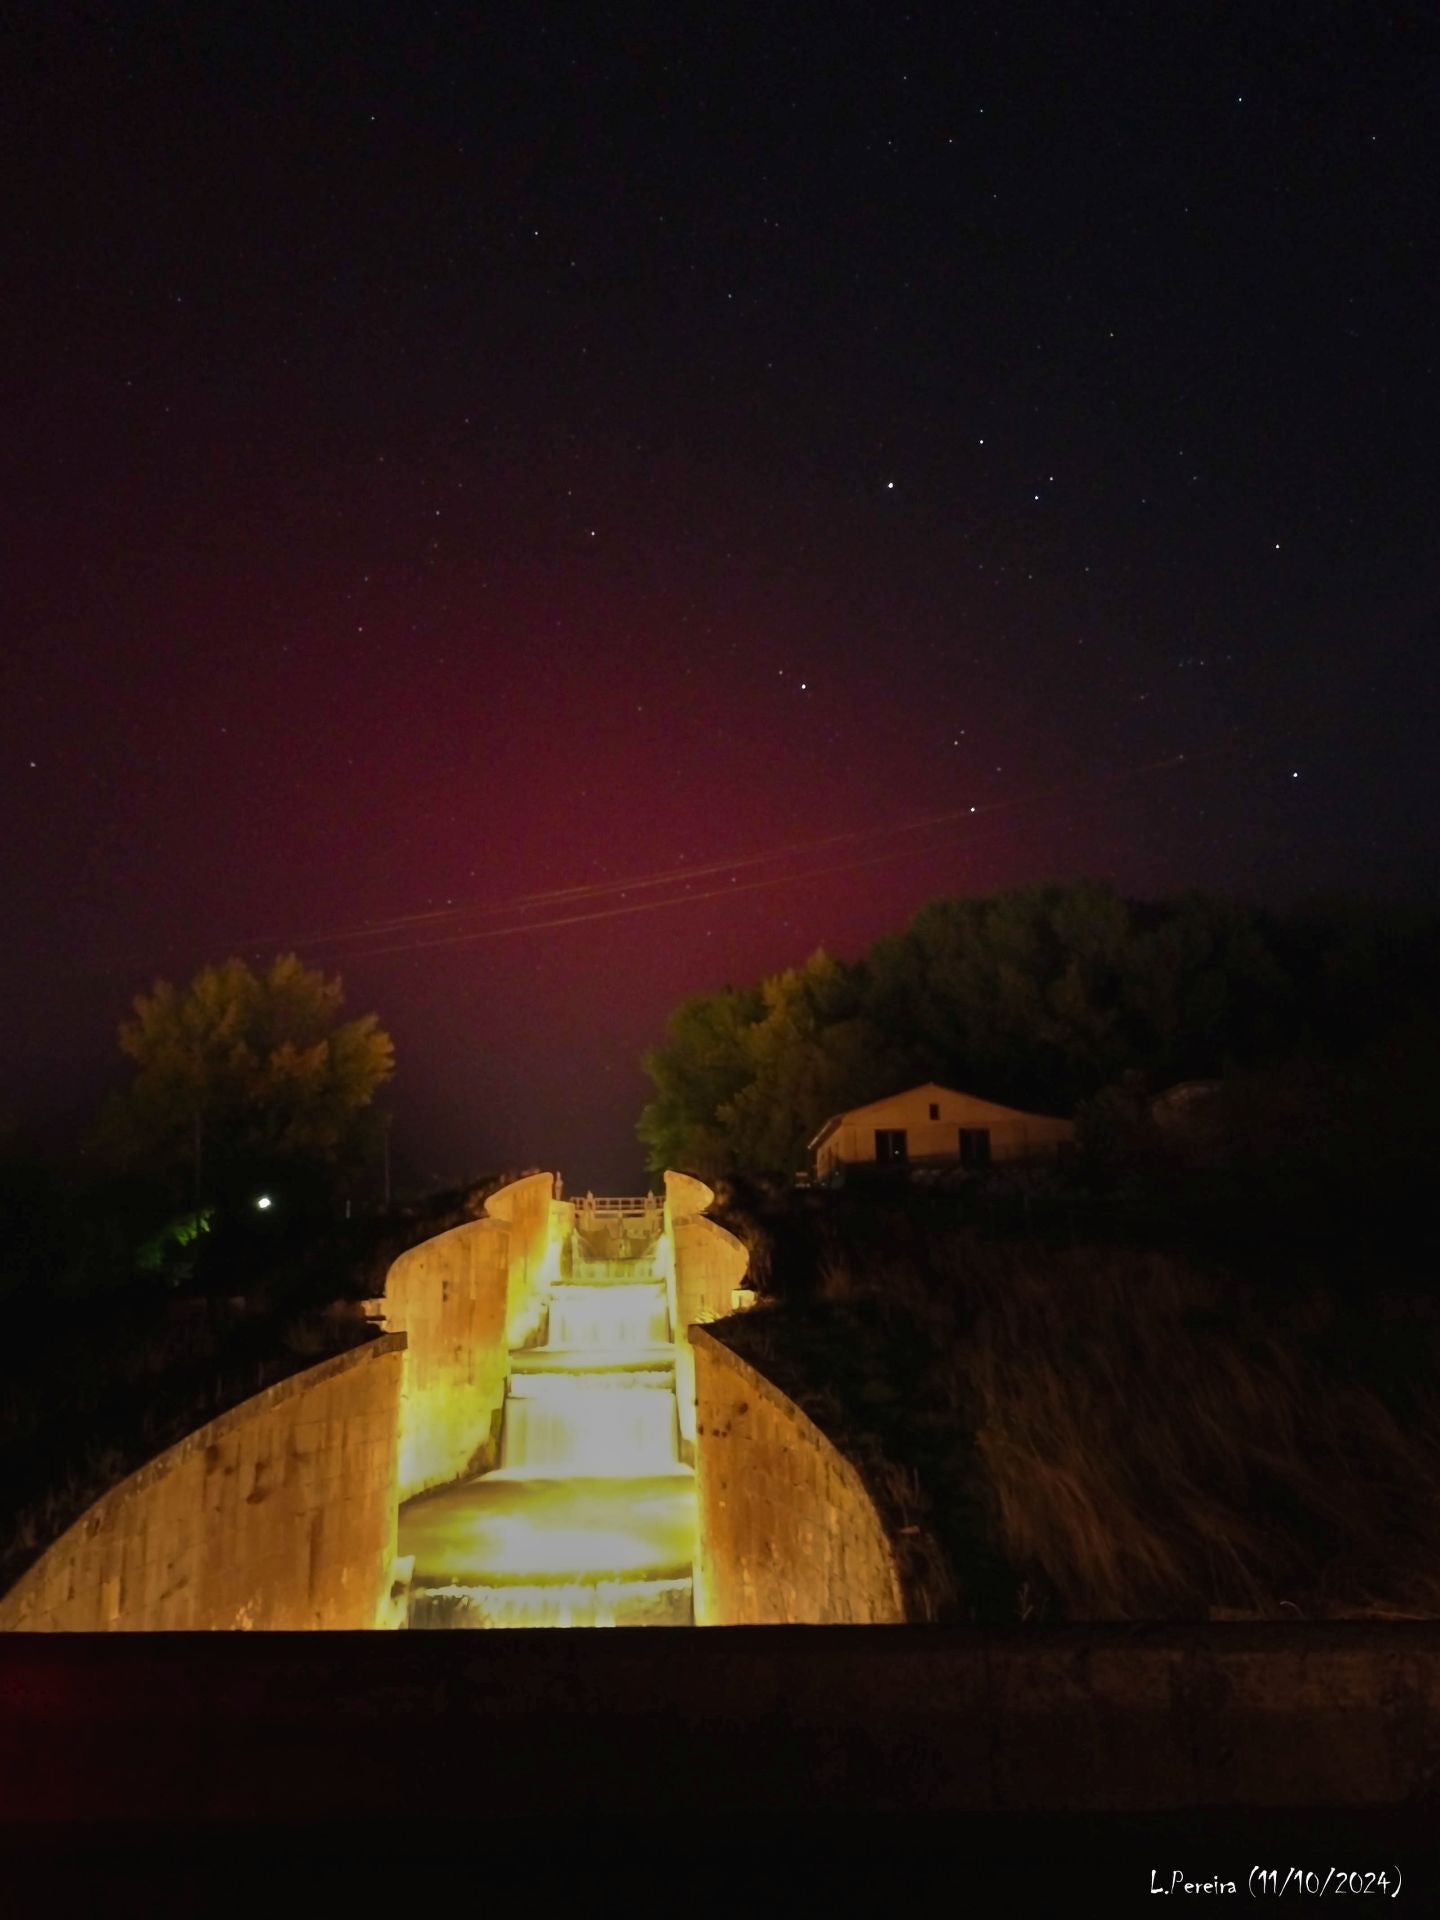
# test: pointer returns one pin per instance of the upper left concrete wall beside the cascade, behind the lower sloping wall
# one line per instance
(464, 1301)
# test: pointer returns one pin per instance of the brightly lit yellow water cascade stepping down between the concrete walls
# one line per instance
(590, 1516)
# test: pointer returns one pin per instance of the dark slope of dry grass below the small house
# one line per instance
(1136, 1437)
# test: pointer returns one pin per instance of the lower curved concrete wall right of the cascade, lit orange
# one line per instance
(788, 1533)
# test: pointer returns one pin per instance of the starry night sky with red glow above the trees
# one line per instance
(469, 464)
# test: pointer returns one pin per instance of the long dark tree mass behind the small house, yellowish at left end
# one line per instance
(1040, 999)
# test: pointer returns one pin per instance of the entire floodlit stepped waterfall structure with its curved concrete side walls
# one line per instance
(535, 1429)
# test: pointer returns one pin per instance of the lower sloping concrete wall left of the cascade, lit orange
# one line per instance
(281, 1514)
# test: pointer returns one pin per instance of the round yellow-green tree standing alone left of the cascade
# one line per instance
(245, 1072)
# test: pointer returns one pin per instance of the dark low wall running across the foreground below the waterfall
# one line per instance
(483, 1727)
